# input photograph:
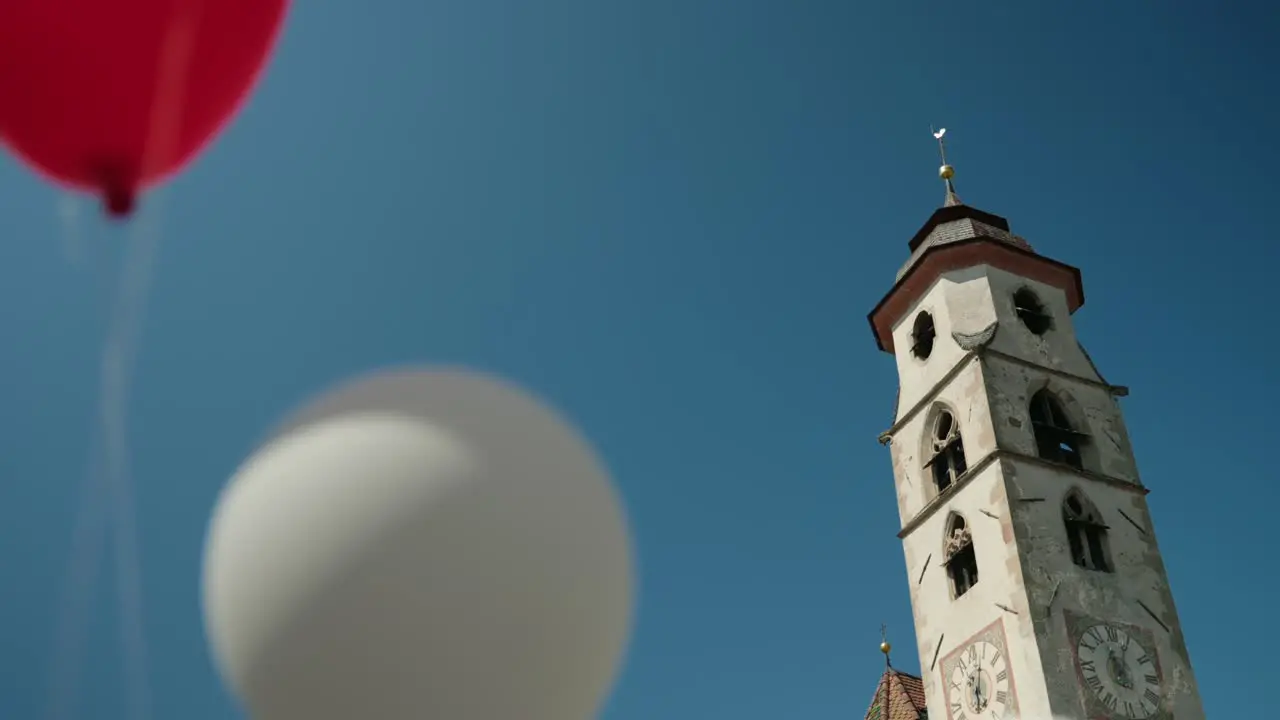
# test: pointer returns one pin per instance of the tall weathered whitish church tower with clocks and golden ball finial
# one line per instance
(1037, 585)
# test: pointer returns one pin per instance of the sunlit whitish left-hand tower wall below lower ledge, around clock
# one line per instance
(956, 621)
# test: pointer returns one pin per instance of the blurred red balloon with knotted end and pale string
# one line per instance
(112, 97)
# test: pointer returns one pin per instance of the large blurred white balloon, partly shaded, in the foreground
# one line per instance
(423, 545)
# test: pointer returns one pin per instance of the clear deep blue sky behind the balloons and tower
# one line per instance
(671, 218)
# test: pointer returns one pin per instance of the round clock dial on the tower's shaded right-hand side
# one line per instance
(1119, 672)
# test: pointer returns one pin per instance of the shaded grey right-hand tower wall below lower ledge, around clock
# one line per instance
(1054, 584)
